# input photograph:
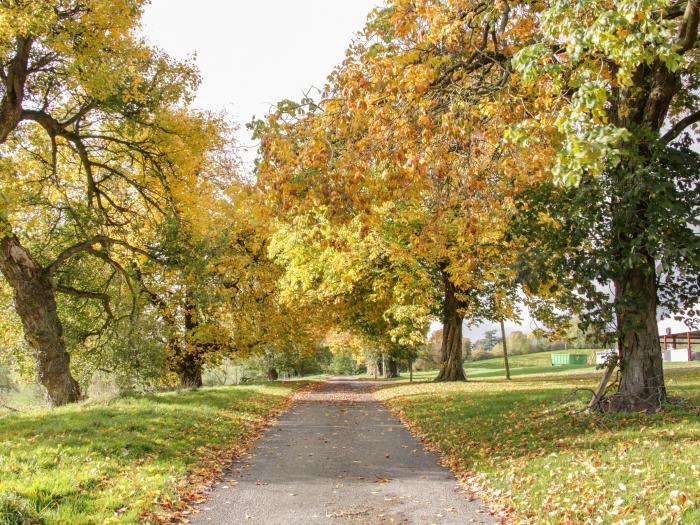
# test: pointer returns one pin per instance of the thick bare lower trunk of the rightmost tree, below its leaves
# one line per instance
(642, 384)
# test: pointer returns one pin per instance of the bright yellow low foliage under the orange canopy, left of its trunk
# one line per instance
(363, 287)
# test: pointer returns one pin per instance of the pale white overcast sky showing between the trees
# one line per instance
(252, 54)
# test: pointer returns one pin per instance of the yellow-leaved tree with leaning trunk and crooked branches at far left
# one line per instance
(96, 146)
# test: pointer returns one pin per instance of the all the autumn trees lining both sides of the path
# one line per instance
(465, 160)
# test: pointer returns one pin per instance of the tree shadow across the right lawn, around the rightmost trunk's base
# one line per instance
(529, 420)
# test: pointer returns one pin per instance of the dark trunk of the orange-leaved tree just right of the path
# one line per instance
(451, 368)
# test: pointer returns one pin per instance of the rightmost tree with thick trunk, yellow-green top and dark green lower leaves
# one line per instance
(613, 86)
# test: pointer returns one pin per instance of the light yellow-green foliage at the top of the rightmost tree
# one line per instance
(624, 36)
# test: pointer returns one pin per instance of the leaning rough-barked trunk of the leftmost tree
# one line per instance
(35, 304)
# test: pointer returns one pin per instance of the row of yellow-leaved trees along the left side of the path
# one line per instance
(129, 242)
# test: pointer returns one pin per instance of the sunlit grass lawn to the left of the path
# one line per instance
(112, 463)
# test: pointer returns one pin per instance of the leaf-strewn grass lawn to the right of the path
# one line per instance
(544, 465)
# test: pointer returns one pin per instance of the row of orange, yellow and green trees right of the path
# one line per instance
(468, 157)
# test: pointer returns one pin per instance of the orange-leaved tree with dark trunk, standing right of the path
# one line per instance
(412, 122)
